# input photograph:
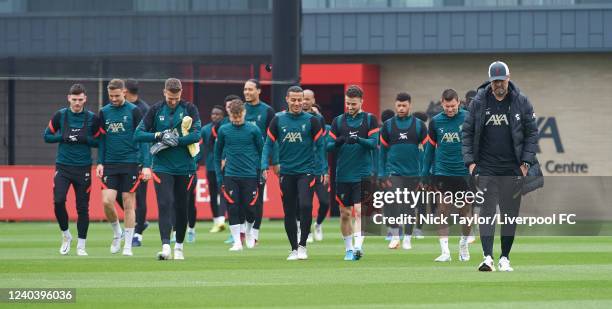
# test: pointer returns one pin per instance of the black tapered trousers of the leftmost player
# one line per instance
(80, 179)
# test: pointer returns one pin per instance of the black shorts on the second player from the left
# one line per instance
(121, 177)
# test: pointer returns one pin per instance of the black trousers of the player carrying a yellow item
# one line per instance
(172, 202)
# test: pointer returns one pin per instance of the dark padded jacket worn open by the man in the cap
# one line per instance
(522, 125)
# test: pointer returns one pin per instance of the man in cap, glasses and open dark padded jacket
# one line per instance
(499, 144)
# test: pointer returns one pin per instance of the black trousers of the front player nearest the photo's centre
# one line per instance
(297, 191)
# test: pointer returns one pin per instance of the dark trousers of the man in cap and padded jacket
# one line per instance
(504, 191)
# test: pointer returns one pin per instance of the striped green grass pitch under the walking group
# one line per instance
(550, 272)
